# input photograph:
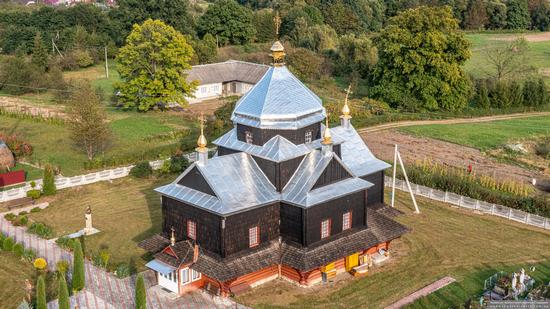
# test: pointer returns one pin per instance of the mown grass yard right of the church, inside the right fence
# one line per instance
(443, 242)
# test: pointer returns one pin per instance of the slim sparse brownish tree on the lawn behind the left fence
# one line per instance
(88, 120)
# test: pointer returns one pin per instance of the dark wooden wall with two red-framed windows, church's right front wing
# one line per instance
(334, 210)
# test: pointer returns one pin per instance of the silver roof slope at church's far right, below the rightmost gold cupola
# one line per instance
(355, 153)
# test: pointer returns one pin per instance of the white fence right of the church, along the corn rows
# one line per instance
(477, 205)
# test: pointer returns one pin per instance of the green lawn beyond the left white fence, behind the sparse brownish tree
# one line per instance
(52, 143)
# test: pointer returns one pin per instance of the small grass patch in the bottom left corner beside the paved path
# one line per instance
(13, 273)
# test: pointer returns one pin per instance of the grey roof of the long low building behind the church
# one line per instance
(231, 70)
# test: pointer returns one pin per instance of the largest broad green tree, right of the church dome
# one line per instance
(420, 56)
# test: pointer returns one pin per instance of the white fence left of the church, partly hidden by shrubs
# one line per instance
(67, 182)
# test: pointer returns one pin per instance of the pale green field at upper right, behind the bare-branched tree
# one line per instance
(538, 54)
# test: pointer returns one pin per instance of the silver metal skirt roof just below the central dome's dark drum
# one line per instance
(277, 149)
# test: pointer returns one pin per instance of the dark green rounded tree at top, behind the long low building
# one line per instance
(229, 21)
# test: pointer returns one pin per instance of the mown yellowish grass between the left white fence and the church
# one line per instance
(126, 211)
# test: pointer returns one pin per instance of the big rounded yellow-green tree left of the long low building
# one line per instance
(153, 67)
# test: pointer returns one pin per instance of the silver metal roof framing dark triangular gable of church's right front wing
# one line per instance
(299, 188)
